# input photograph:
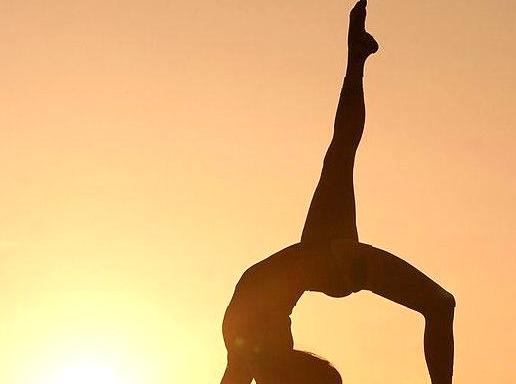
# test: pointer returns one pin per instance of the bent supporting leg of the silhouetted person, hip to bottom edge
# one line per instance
(397, 280)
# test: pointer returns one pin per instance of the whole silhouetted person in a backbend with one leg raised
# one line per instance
(329, 259)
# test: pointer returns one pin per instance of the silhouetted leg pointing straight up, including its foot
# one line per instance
(332, 210)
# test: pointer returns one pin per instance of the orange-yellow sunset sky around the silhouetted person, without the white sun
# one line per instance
(150, 151)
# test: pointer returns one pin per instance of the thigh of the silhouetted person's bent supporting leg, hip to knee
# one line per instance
(395, 279)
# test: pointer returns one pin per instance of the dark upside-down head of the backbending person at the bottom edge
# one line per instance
(296, 367)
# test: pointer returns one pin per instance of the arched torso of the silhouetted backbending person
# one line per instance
(268, 291)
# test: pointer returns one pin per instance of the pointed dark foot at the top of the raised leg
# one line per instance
(360, 43)
